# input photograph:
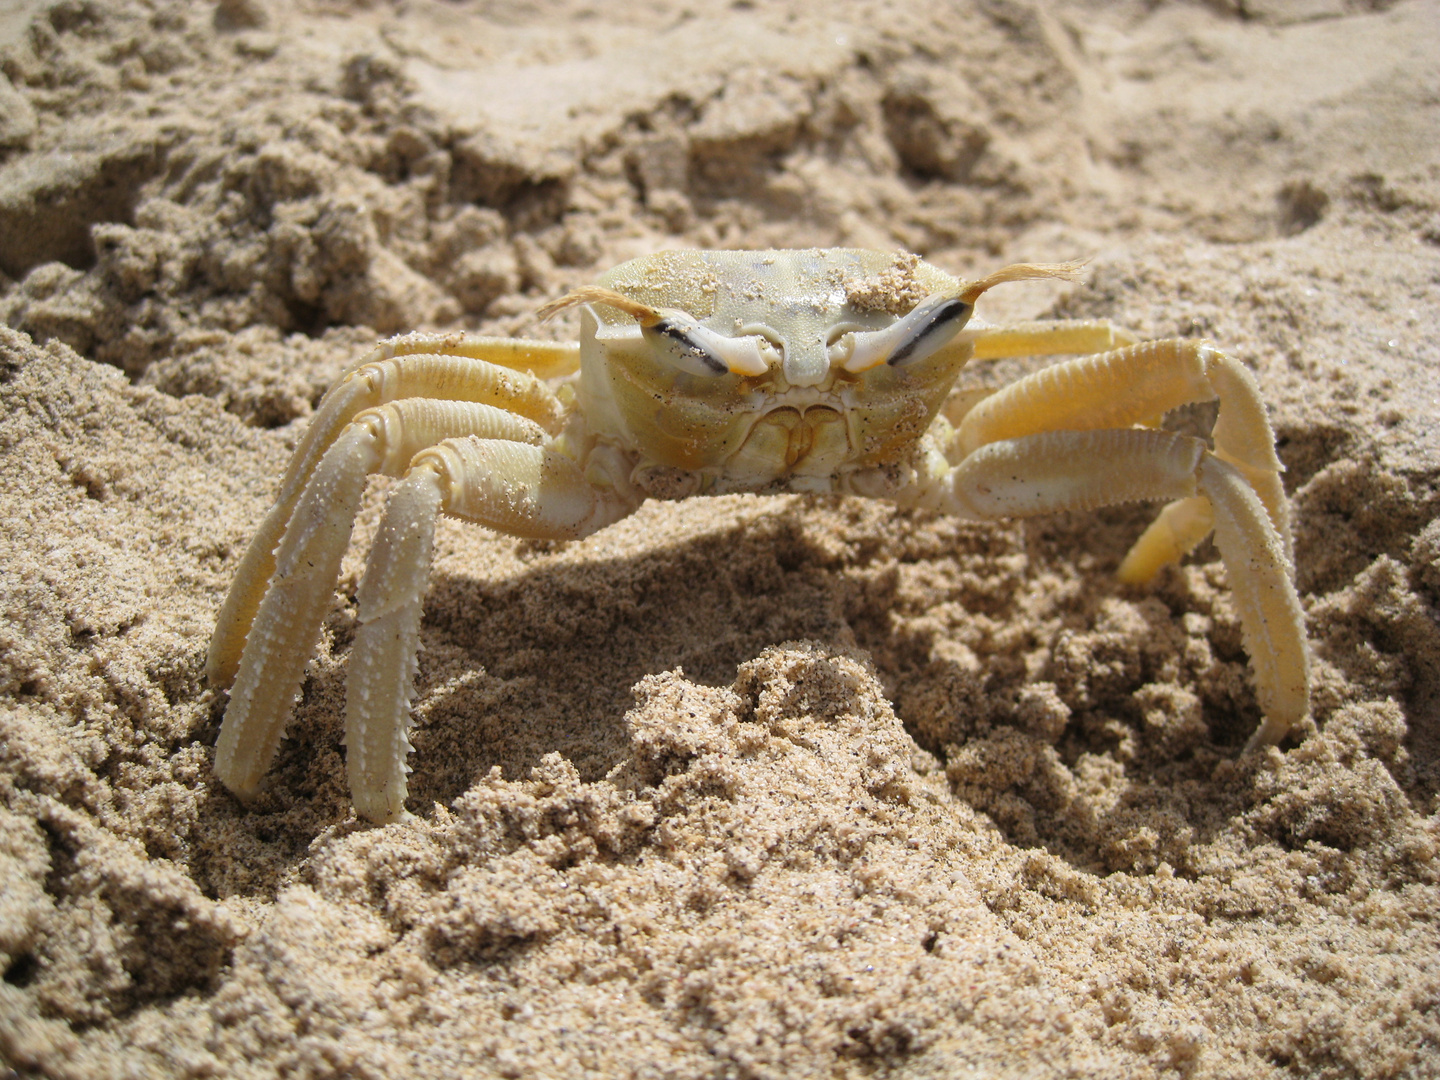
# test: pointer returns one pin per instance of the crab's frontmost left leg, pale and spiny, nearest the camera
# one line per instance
(521, 490)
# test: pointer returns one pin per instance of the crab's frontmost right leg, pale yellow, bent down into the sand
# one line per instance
(1084, 470)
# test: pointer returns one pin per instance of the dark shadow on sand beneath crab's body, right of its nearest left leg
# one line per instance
(548, 660)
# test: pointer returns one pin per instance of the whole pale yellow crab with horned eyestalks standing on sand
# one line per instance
(706, 372)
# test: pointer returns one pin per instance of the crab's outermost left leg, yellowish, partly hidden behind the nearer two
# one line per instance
(411, 366)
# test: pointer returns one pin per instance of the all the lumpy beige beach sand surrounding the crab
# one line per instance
(745, 787)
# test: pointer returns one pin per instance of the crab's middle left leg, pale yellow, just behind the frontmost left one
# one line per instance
(307, 564)
